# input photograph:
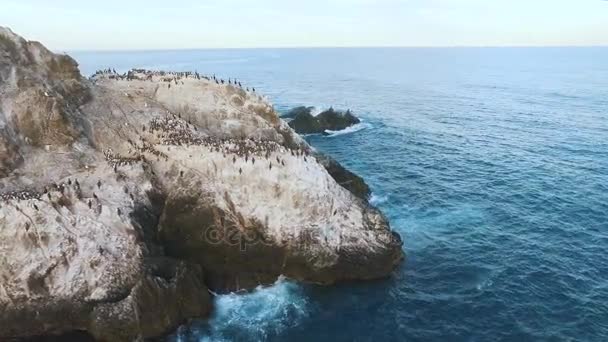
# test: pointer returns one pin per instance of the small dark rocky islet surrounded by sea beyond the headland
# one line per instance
(304, 122)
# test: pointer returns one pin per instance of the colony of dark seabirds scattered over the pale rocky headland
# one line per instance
(171, 130)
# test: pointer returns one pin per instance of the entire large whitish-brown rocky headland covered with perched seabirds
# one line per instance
(124, 197)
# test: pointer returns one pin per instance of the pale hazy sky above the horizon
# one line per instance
(168, 24)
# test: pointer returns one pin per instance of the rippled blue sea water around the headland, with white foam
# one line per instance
(492, 163)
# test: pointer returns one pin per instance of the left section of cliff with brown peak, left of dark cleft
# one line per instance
(76, 248)
